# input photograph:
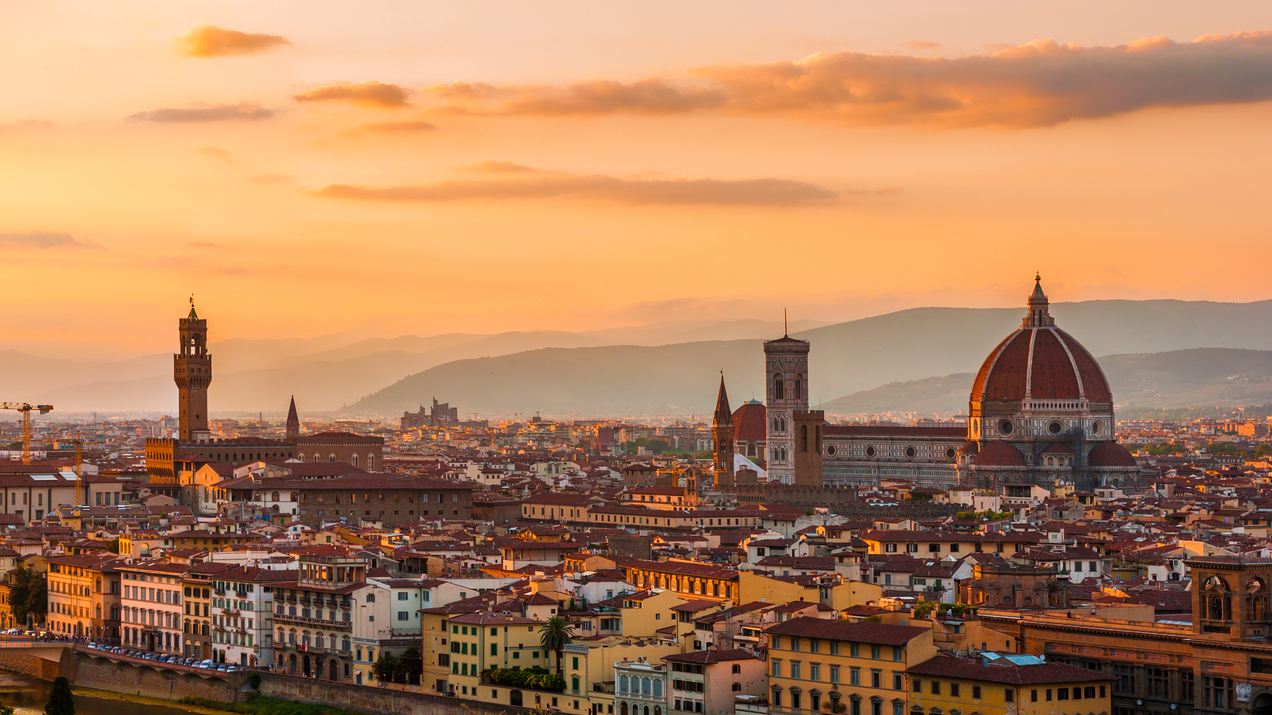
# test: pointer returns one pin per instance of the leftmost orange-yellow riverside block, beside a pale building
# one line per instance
(85, 597)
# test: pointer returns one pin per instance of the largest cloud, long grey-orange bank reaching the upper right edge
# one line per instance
(1037, 85)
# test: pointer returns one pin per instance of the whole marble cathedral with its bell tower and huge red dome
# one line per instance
(1040, 412)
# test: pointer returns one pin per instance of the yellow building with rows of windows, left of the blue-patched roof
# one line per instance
(815, 663)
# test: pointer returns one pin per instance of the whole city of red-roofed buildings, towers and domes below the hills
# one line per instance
(1040, 557)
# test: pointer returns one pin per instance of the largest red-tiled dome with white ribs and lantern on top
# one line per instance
(1040, 362)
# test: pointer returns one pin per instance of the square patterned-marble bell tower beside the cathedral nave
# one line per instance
(785, 394)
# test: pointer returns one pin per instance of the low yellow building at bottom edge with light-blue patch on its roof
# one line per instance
(1007, 685)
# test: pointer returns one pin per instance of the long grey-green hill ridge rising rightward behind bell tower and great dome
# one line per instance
(847, 359)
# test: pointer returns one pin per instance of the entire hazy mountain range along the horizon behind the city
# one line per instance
(886, 363)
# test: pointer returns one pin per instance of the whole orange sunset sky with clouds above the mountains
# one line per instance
(311, 167)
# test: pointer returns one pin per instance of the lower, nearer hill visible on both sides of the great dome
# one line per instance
(1210, 377)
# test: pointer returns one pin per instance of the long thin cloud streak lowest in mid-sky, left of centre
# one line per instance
(527, 184)
